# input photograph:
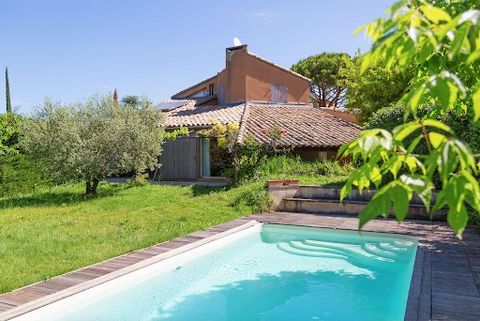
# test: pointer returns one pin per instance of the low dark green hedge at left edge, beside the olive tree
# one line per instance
(20, 175)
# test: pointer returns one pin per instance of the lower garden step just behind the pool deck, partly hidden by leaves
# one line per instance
(348, 207)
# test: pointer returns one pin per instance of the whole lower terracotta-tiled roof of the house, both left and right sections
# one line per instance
(302, 126)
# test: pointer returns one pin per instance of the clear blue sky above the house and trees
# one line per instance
(71, 49)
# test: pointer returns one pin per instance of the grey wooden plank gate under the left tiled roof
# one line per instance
(179, 159)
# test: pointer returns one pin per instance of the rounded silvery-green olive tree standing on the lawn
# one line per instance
(92, 140)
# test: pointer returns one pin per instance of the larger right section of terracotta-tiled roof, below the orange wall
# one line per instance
(301, 126)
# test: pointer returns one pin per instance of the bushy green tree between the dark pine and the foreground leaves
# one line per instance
(375, 88)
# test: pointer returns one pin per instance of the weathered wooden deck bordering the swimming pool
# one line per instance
(445, 284)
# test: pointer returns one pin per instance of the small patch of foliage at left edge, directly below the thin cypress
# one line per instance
(9, 133)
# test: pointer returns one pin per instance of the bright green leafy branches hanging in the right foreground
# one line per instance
(442, 40)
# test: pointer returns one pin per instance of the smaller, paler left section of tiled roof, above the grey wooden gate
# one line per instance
(201, 116)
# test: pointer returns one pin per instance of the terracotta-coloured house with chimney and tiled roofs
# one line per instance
(256, 95)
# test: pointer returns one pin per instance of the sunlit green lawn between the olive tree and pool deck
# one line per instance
(58, 230)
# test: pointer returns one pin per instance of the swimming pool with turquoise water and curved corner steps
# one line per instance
(265, 272)
